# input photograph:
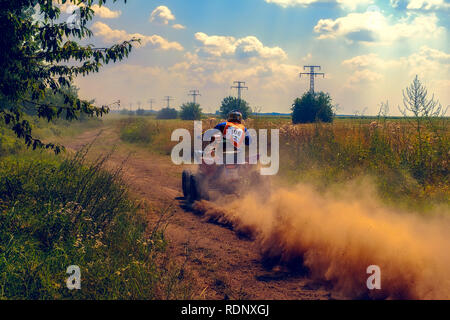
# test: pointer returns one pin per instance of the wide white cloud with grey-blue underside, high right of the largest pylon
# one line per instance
(374, 27)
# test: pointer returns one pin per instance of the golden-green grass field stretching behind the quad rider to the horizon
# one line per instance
(410, 167)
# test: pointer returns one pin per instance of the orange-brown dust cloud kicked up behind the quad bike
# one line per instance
(336, 236)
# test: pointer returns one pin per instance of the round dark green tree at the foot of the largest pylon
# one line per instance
(312, 107)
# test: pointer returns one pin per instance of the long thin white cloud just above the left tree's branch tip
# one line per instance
(111, 35)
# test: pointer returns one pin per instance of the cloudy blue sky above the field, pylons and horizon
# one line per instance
(369, 50)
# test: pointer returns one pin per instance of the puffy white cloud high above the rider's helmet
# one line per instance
(241, 49)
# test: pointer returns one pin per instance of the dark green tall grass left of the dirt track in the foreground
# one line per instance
(58, 212)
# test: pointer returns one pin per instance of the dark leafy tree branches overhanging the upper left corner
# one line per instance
(41, 55)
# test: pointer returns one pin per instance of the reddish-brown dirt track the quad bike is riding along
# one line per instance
(222, 264)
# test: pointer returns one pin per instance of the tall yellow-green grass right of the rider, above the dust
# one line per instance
(406, 168)
